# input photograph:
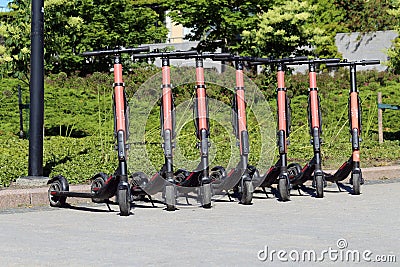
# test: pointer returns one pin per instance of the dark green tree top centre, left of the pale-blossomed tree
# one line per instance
(217, 23)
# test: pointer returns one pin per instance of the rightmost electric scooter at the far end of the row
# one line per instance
(352, 165)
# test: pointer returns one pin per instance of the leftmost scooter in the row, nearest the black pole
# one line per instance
(104, 187)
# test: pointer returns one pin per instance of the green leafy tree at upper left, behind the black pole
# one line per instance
(72, 27)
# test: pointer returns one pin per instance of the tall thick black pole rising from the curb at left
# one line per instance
(36, 120)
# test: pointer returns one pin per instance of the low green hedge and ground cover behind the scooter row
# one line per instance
(81, 108)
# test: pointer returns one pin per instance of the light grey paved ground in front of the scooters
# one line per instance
(334, 228)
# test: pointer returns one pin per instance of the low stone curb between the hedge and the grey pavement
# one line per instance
(37, 196)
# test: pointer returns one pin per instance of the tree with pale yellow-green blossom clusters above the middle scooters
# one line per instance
(283, 30)
